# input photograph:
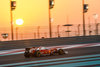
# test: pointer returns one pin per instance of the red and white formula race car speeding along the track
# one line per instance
(42, 51)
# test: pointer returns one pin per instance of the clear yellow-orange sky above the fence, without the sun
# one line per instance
(35, 12)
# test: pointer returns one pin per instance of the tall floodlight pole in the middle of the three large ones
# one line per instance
(51, 5)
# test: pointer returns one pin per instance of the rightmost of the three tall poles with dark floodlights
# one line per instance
(85, 9)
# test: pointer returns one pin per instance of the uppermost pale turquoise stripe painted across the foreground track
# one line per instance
(57, 59)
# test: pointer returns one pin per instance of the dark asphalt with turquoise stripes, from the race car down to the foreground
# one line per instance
(76, 57)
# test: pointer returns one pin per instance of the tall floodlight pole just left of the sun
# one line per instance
(12, 7)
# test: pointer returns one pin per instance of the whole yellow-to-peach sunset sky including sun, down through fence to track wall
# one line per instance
(36, 13)
